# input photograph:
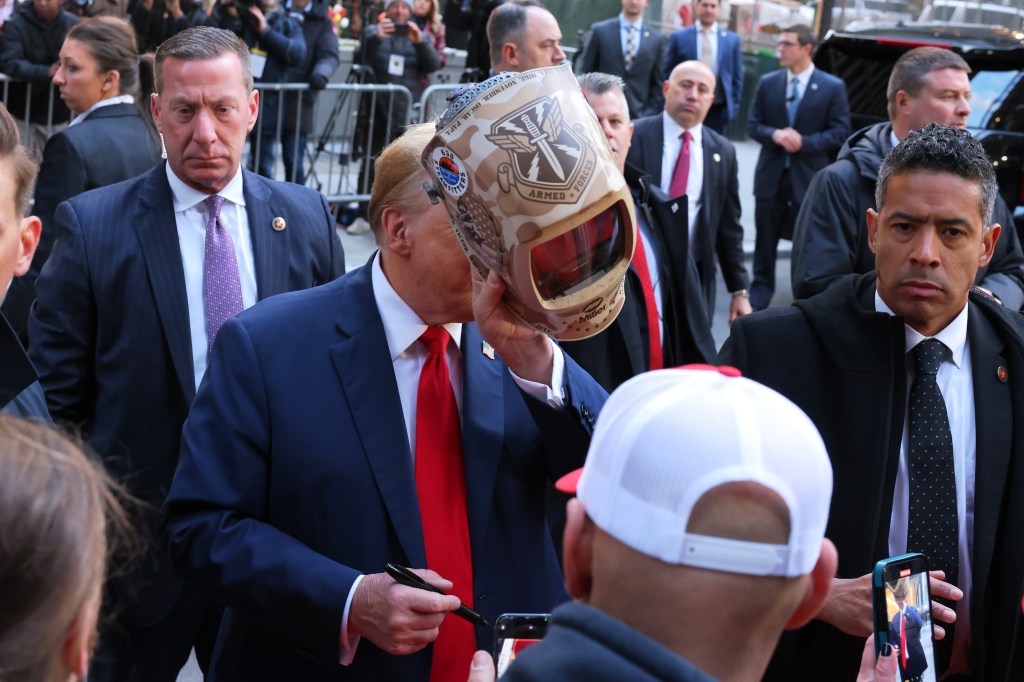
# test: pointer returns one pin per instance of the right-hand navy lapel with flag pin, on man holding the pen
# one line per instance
(483, 430)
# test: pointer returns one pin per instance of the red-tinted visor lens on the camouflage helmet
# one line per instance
(572, 262)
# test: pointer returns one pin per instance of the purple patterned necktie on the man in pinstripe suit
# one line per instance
(222, 286)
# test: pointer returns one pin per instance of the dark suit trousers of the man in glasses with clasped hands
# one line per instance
(774, 219)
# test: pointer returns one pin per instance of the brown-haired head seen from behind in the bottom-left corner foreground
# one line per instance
(58, 507)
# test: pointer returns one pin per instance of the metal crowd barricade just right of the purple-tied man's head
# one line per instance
(338, 151)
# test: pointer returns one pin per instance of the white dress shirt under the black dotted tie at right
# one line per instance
(957, 385)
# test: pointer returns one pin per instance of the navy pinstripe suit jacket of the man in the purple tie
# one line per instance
(110, 329)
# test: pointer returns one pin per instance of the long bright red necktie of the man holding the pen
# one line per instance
(441, 486)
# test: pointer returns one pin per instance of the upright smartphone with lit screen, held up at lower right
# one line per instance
(903, 606)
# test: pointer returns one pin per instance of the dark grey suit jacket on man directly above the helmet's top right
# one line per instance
(604, 54)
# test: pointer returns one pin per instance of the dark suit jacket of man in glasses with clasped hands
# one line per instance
(823, 119)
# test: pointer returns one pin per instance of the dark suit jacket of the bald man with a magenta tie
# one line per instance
(718, 232)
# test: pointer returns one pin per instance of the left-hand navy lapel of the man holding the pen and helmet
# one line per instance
(364, 366)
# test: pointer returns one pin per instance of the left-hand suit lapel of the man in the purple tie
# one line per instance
(158, 238)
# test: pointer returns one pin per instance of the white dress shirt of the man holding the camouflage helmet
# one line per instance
(404, 329)
